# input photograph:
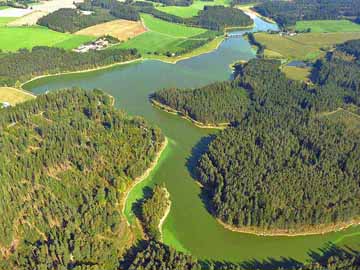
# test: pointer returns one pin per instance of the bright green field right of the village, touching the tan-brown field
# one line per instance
(161, 36)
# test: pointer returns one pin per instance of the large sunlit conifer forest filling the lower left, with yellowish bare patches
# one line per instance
(66, 158)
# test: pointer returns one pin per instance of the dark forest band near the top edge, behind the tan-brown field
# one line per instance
(211, 17)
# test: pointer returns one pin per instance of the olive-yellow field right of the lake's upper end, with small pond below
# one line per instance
(309, 46)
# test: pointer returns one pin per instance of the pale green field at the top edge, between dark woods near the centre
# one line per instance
(192, 10)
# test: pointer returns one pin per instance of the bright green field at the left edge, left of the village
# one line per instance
(12, 38)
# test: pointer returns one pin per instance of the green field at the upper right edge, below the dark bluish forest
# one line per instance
(327, 26)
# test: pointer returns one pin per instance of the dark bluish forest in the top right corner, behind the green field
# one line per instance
(286, 13)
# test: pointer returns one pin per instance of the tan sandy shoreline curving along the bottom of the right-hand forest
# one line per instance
(314, 230)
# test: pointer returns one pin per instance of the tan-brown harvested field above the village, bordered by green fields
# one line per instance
(121, 29)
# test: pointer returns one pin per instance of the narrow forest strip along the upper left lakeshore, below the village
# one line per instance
(24, 65)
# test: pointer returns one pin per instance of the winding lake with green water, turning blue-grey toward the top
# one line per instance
(189, 226)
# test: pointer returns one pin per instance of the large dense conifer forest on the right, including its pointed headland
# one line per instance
(288, 163)
